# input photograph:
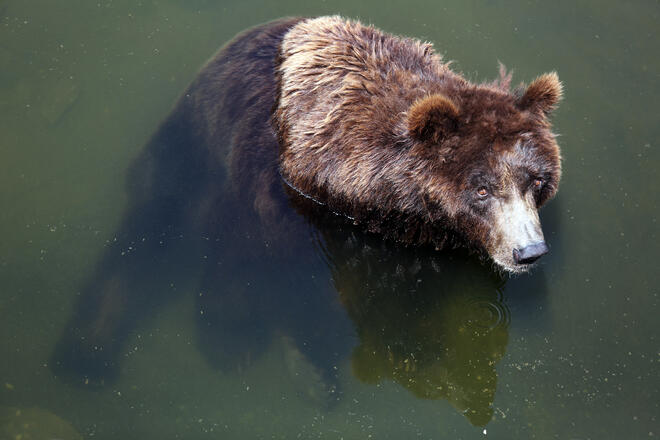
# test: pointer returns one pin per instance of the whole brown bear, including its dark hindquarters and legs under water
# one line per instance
(294, 130)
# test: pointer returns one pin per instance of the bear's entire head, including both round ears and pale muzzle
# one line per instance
(495, 162)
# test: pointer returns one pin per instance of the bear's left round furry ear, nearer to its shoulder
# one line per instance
(432, 118)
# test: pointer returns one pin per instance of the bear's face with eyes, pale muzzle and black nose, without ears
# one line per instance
(503, 196)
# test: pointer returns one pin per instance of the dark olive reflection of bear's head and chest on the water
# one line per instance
(435, 323)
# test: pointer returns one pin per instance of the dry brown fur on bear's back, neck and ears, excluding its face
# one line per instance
(379, 128)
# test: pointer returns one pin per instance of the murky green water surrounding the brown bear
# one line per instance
(569, 352)
